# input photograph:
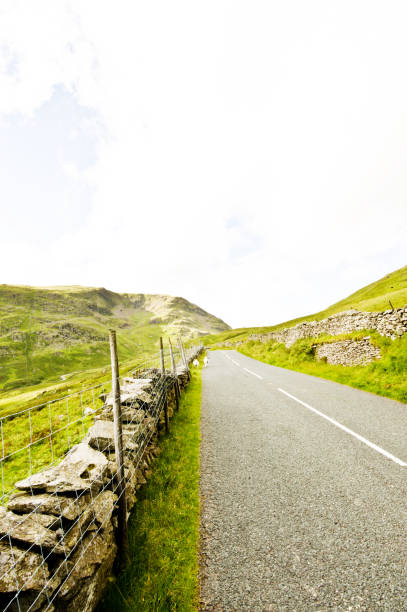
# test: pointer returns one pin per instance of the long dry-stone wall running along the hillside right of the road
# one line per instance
(391, 323)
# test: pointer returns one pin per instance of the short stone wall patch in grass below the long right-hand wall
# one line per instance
(347, 352)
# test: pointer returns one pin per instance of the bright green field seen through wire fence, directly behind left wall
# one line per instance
(52, 419)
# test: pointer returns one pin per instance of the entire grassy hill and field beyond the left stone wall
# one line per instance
(46, 333)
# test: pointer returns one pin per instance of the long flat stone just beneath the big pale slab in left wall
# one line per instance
(59, 505)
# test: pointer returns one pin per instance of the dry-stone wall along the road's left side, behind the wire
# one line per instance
(58, 532)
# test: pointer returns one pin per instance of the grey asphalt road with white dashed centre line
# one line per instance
(300, 512)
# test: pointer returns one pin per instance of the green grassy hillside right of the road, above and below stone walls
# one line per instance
(386, 376)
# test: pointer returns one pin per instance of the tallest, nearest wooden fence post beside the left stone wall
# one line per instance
(123, 542)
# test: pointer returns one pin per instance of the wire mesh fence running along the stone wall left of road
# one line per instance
(62, 486)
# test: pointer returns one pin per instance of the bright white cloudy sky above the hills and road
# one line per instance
(249, 156)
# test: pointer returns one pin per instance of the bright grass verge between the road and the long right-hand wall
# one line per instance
(386, 376)
